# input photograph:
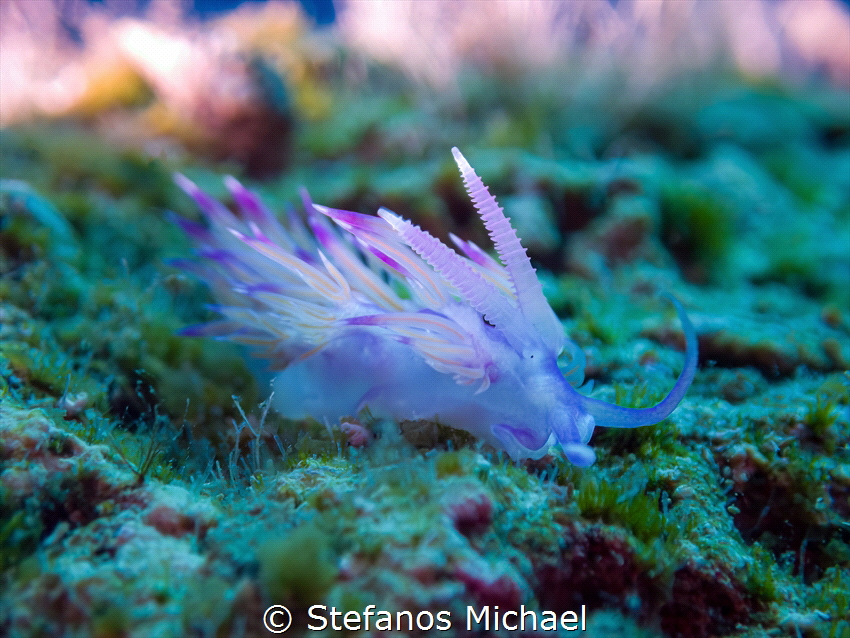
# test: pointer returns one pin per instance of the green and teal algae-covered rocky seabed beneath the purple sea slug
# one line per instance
(145, 490)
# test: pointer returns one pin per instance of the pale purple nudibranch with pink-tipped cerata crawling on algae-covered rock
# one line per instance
(372, 311)
